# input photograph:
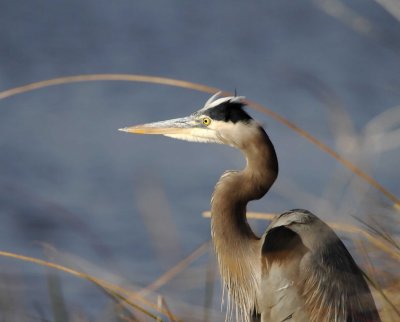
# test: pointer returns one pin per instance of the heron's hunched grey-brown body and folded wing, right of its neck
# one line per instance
(309, 275)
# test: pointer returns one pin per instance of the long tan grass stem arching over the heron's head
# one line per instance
(207, 89)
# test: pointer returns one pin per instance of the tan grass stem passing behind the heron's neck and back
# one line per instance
(379, 243)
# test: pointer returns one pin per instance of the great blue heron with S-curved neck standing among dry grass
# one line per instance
(299, 270)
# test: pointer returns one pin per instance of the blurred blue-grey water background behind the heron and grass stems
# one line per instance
(128, 208)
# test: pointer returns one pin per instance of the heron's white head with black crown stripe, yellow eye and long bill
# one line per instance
(221, 120)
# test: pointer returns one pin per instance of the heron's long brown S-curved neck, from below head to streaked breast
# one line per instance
(236, 245)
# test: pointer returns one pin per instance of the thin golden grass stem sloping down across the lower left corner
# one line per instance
(112, 289)
